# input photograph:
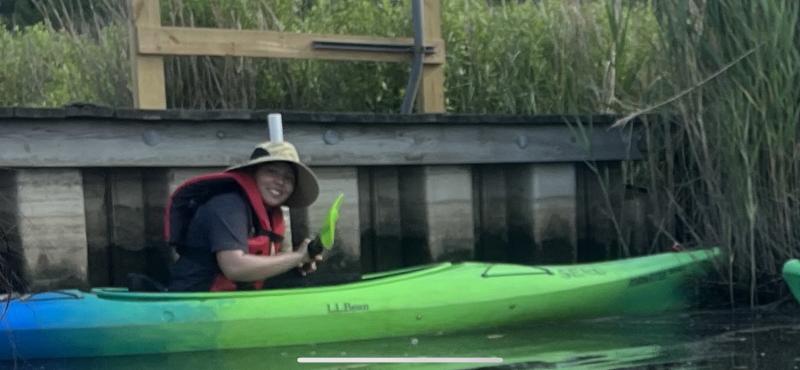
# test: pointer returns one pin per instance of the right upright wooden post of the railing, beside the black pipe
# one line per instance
(431, 94)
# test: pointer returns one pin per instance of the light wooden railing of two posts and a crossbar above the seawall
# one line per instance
(151, 42)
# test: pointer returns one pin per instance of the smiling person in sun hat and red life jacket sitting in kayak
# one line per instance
(227, 227)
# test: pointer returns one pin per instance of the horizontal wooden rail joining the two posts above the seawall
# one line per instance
(269, 44)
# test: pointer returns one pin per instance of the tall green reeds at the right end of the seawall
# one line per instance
(727, 166)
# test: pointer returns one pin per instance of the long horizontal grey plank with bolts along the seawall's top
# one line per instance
(90, 143)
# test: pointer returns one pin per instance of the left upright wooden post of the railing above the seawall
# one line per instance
(149, 89)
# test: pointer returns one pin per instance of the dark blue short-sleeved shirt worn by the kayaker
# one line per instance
(220, 224)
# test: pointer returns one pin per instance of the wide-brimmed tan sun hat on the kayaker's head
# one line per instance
(306, 188)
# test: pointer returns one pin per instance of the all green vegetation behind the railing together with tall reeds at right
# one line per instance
(722, 168)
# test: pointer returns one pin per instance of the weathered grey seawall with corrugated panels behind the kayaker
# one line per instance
(82, 189)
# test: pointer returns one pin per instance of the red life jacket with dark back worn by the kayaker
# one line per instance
(185, 200)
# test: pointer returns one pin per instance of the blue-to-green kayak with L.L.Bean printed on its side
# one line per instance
(438, 298)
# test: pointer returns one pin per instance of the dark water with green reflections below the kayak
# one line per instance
(697, 340)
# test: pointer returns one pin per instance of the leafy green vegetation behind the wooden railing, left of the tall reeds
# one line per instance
(528, 57)
